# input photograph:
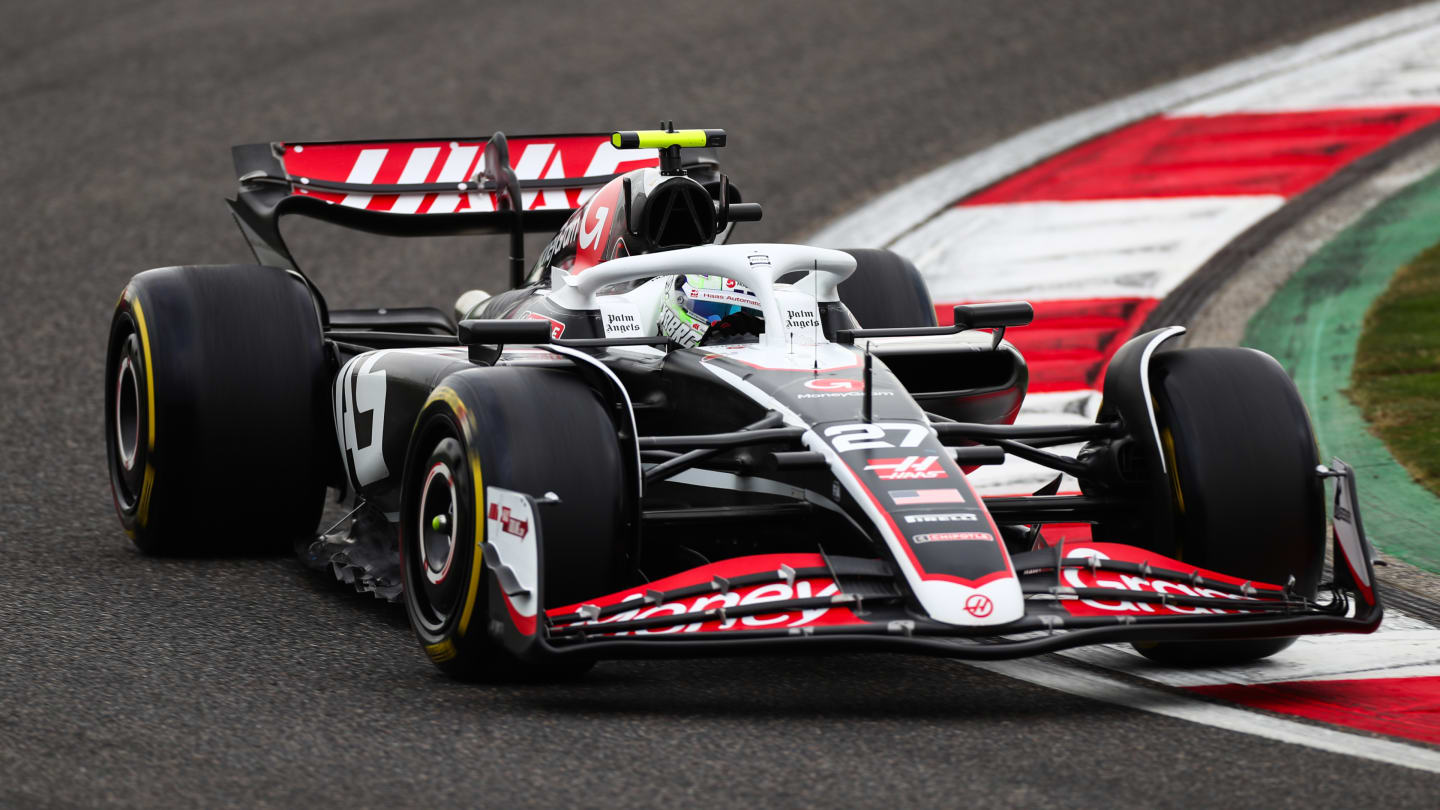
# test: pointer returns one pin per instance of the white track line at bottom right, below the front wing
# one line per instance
(1085, 684)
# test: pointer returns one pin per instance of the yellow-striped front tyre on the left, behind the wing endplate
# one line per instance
(532, 432)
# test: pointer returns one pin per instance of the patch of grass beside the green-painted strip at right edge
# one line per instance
(1396, 381)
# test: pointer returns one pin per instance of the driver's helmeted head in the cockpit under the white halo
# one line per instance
(711, 311)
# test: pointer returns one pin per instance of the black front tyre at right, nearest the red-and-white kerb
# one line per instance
(1246, 498)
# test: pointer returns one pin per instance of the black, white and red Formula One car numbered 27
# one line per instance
(662, 445)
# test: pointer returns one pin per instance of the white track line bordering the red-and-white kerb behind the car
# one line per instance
(882, 221)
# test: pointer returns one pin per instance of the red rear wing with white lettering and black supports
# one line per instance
(426, 188)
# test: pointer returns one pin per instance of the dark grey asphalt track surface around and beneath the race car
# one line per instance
(250, 682)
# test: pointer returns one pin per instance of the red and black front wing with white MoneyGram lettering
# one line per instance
(1079, 593)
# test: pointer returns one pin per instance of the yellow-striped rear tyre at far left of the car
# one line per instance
(217, 410)
